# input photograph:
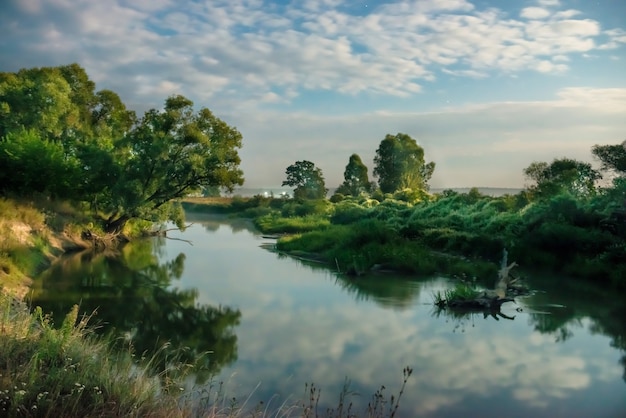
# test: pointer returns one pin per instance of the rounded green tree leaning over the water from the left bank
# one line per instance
(169, 154)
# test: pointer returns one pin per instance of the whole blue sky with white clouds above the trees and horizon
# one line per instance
(486, 87)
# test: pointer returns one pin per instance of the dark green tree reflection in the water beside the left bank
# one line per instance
(134, 298)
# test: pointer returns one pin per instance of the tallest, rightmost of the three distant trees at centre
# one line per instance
(399, 164)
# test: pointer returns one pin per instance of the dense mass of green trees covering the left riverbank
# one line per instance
(60, 137)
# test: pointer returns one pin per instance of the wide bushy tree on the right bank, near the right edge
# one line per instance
(562, 175)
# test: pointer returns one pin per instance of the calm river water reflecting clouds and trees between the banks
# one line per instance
(274, 323)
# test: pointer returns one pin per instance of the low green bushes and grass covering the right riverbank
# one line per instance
(460, 234)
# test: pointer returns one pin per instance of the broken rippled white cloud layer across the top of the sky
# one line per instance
(391, 49)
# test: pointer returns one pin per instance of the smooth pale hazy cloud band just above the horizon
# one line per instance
(485, 144)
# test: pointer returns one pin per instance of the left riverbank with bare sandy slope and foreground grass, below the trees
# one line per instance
(61, 367)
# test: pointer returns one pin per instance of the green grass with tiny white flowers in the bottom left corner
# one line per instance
(68, 371)
